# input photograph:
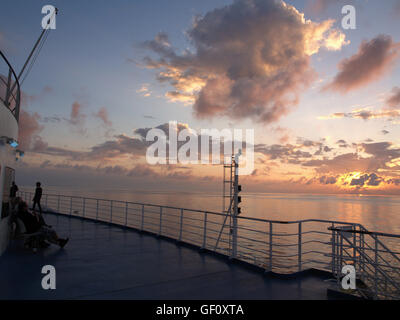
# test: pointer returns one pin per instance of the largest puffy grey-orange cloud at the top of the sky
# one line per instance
(251, 59)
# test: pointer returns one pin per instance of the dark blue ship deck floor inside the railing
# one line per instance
(108, 262)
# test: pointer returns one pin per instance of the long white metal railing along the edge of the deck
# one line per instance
(280, 246)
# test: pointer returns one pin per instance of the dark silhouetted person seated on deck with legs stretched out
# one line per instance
(34, 223)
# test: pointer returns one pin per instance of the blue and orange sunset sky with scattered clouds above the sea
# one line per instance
(324, 102)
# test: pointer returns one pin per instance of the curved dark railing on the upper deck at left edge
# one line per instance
(10, 94)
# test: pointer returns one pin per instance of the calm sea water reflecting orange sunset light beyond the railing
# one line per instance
(376, 213)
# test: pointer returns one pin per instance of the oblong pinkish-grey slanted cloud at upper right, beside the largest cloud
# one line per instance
(373, 59)
